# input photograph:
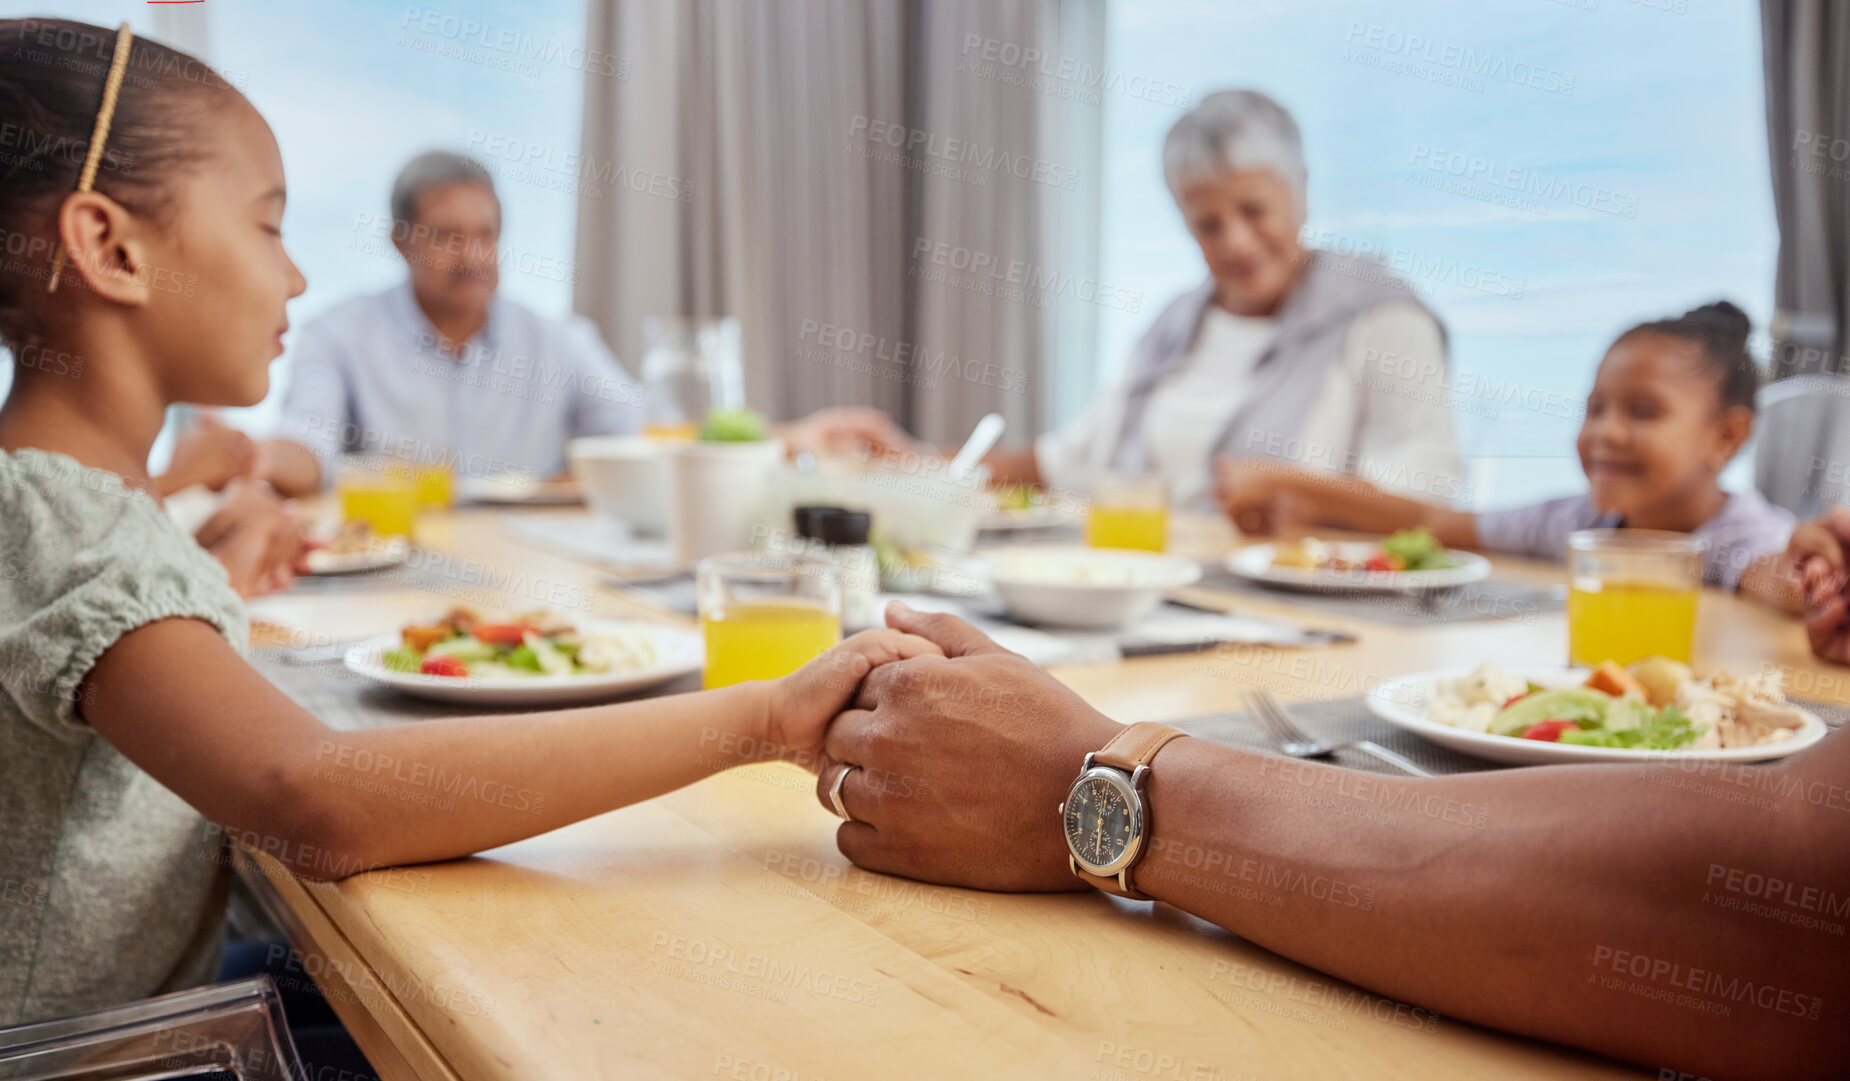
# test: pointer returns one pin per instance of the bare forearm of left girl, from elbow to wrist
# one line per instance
(443, 789)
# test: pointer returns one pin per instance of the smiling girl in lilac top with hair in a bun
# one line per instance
(1670, 408)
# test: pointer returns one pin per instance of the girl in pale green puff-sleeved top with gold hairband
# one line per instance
(142, 234)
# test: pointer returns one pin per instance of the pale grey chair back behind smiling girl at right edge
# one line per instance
(1803, 443)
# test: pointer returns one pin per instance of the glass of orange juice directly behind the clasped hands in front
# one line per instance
(767, 615)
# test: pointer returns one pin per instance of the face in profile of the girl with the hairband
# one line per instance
(219, 279)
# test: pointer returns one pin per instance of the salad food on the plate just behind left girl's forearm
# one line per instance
(539, 645)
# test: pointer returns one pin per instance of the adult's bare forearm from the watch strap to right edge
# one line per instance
(1536, 902)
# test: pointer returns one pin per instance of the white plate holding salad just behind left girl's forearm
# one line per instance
(676, 649)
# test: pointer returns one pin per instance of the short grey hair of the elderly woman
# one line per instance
(1235, 130)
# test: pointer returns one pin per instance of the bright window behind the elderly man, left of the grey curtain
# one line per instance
(356, 88)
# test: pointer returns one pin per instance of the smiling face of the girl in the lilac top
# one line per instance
(1655, 434)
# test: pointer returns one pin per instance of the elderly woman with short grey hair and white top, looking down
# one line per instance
(1285, 353)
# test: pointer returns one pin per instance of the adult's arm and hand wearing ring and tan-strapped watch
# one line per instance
(1581, 882)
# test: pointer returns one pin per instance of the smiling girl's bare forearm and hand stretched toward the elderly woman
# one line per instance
(1261, 497)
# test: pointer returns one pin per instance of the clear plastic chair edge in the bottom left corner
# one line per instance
(228, 1032)
